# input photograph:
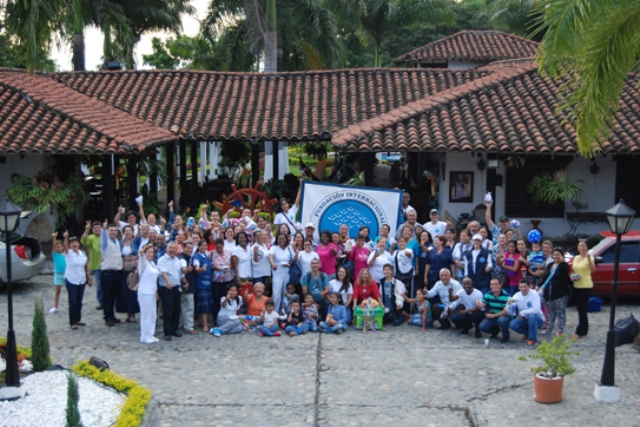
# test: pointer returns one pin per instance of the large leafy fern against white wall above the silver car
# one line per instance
(44, 192)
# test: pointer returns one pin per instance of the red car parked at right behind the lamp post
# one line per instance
(603, 248)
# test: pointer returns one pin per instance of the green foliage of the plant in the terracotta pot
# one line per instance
(555, 357)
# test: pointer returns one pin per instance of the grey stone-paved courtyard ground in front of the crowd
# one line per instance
(398, 376)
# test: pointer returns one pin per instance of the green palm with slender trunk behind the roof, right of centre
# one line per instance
(379, 18)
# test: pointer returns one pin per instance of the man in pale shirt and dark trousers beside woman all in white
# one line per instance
(169, 283)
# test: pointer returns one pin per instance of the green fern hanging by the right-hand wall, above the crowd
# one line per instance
(553, 187)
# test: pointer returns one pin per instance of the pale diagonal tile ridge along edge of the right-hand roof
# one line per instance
(423, 105)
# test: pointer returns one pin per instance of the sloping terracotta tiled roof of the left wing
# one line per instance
(39, 115)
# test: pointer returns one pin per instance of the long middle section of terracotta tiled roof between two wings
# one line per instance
(284, 106)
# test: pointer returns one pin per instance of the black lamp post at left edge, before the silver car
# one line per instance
(9, 218)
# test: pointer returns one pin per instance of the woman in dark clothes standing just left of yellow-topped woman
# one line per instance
(556, 291)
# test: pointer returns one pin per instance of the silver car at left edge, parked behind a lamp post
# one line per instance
(27, 259)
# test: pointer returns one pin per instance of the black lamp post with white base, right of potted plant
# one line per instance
(620, 217)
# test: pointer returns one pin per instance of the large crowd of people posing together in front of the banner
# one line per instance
(223, 275)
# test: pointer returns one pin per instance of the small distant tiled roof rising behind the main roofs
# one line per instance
(483, 46)
